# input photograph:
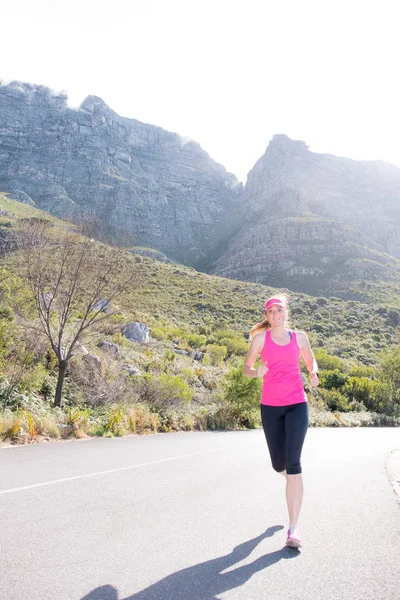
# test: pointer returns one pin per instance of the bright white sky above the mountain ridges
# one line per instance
(226, 73)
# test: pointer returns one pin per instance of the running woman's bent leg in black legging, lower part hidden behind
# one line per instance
(273, 425)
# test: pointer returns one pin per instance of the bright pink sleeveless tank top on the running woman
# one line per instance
(282, 385)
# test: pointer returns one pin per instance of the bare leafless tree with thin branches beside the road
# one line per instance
(73, 281)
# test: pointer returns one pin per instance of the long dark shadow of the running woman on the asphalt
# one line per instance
(206, 580)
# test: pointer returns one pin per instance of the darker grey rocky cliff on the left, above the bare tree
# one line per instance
(162, 189)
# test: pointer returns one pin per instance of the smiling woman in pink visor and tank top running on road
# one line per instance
(284, 407)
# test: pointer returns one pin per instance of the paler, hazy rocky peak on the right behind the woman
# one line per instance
(315, 221)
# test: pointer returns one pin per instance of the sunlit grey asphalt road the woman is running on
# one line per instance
(198, 516)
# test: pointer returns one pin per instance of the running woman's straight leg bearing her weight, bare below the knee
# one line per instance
(296, 425)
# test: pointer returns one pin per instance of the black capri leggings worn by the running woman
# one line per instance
(285, 428)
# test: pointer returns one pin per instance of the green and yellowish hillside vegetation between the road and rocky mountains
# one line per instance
(188, 376)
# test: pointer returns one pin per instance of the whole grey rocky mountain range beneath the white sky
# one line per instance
(309, 222)
